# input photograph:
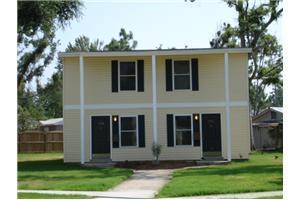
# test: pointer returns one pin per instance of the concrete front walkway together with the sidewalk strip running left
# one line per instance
(142, 184)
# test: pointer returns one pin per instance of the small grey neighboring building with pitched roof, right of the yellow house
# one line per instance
(267, 129)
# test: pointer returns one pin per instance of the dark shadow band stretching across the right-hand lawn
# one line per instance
(260, 169)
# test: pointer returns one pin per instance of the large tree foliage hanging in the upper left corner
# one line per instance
(37, 23)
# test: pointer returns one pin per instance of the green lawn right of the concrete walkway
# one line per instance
(262, 172)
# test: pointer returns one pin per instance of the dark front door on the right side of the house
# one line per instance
(211, 134)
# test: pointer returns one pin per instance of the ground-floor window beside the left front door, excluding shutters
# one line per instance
(128, 131)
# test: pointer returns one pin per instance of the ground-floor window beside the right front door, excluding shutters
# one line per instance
(183, 128)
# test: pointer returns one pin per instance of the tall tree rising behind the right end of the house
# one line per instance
(265, 60)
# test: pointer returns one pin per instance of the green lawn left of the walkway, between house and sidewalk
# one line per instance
(46, 171)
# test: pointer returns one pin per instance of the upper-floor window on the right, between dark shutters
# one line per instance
(182, 75)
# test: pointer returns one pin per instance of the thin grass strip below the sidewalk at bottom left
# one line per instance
(50, 196)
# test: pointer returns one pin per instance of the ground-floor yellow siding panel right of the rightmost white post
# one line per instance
(240, 132)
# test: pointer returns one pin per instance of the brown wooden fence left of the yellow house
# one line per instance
(40, 141)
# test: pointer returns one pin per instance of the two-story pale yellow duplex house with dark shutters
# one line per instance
(194, 102)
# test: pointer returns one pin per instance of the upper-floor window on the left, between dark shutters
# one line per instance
(127, 76)
